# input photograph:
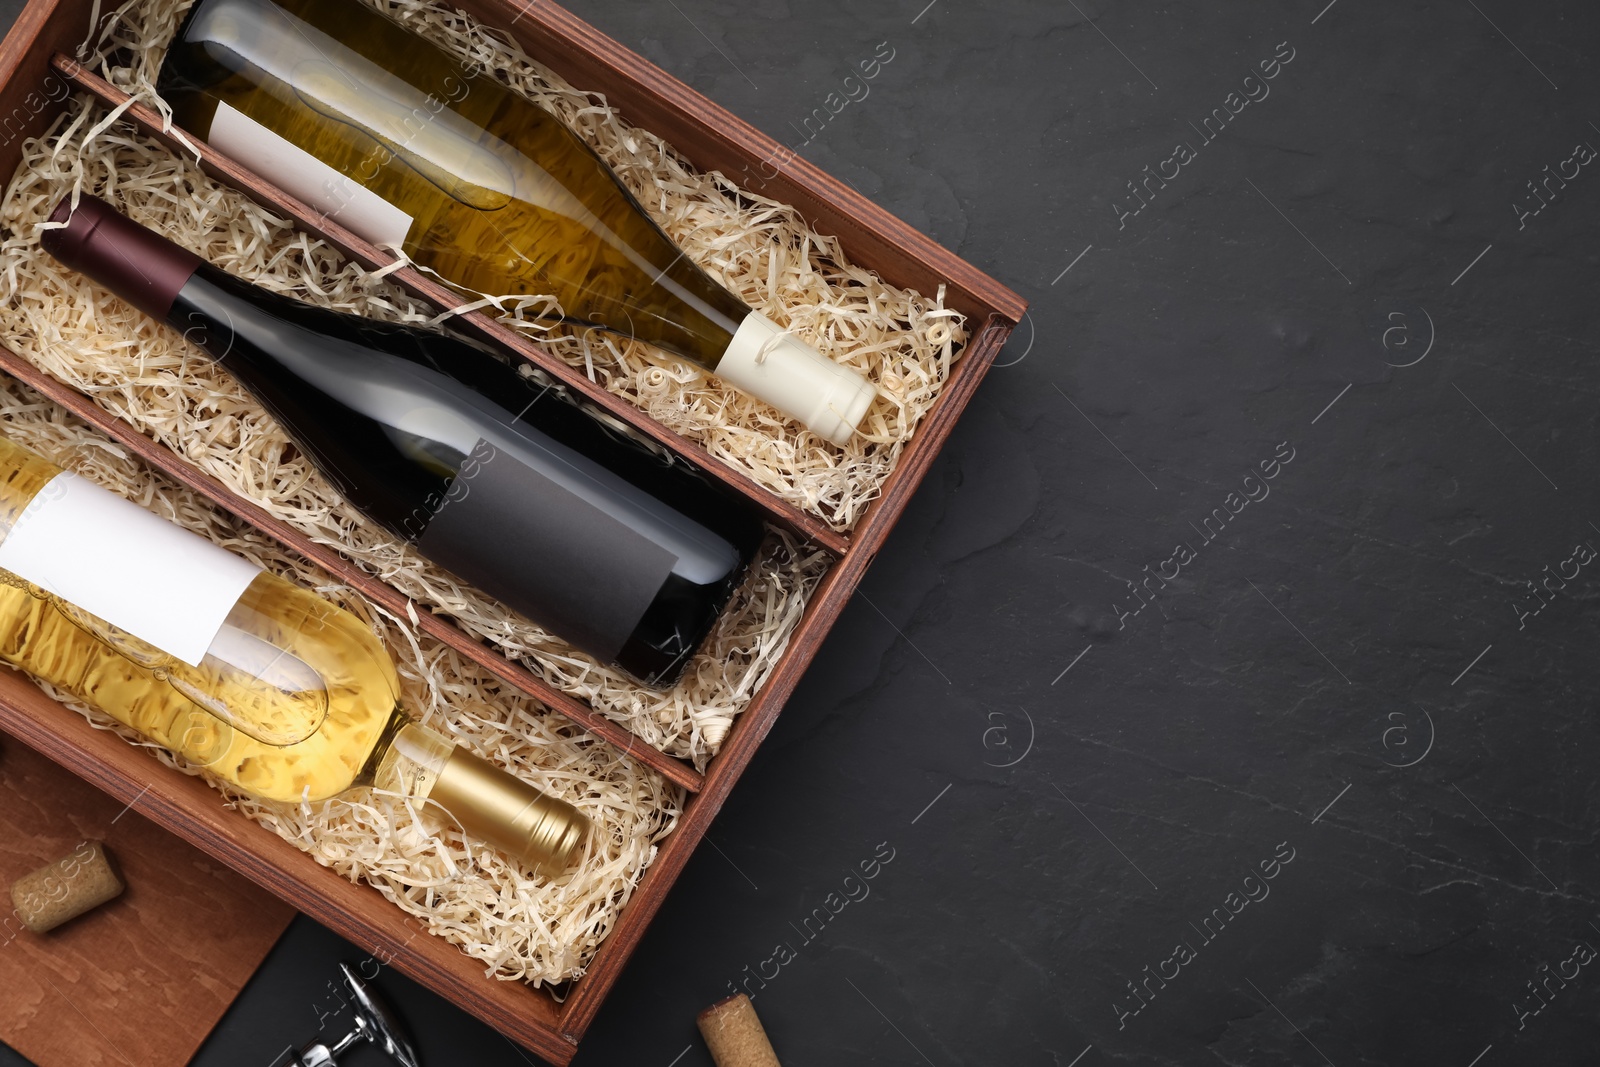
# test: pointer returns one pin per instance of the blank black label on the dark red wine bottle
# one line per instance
(546, 553)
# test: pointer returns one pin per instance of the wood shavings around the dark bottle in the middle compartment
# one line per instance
(150, 377)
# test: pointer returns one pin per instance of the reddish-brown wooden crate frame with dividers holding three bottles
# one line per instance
(38, 74)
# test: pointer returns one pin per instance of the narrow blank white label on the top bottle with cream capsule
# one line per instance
(302, 175)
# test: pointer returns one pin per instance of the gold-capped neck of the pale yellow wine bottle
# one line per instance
(482, 799)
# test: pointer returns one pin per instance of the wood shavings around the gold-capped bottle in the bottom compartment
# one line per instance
(519, 927)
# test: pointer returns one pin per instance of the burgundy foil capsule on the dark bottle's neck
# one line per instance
(137, 265)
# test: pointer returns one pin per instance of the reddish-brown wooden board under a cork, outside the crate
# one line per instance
(140, 981)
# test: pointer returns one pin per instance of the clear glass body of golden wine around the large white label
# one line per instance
(290, 701)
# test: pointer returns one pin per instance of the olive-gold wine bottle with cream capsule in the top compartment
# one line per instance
(386, 134)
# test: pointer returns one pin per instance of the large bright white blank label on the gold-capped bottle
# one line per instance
(121, 564)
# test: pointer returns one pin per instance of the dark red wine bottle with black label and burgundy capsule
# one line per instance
(505, 482)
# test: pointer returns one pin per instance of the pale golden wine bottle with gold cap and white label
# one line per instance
(241, 673)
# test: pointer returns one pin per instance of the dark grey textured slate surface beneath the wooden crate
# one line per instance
(1340, 671)
